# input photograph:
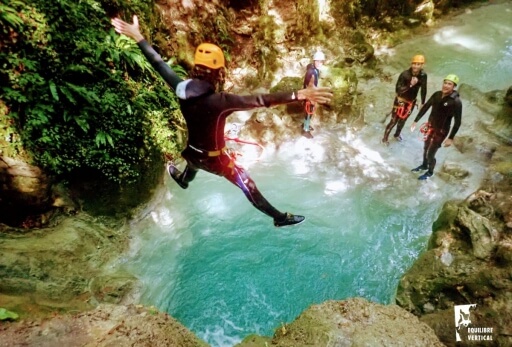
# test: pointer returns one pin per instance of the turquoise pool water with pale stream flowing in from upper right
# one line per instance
(219, 266)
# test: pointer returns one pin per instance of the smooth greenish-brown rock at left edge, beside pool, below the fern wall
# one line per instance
(62, 267)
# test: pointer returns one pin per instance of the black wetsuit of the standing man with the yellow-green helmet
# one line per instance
(444, 109)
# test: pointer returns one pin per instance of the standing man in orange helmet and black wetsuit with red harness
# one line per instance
(407, 87)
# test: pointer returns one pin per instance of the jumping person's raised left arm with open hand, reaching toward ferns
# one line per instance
(133, 32)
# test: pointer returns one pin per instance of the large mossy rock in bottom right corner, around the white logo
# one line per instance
(468, 262)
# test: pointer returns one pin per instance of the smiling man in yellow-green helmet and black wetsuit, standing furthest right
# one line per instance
(446, 105)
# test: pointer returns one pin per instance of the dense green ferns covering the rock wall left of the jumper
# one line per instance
(78, 95)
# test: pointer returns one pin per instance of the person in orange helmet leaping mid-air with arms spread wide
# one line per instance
(205, 111)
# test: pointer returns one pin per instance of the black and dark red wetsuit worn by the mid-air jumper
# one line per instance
(205, 113)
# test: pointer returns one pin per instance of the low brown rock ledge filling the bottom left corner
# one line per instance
(107, 325)
